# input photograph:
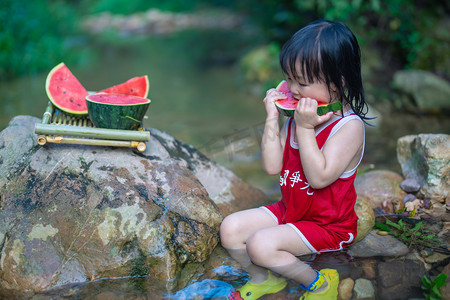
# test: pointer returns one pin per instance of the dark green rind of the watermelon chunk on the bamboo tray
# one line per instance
(117, 116)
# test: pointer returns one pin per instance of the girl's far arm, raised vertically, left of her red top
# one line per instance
(272, 143)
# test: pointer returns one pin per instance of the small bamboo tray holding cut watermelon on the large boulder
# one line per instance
(58, 127)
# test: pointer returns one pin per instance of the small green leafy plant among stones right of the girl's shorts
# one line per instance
(414, 236)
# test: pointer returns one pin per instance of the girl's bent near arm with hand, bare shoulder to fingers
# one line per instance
(340, 153)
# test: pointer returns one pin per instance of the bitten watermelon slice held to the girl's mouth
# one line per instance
(287, 106)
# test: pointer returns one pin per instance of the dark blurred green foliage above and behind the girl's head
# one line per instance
(415, 32)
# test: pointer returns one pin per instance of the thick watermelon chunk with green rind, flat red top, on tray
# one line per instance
(117, 111)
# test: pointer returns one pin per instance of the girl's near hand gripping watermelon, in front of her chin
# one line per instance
(306, 114)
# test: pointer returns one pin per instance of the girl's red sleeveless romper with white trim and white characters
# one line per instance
(325, 218)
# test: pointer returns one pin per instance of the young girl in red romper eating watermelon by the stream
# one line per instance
(316, 157)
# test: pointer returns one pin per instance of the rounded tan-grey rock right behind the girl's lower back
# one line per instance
(380, 186)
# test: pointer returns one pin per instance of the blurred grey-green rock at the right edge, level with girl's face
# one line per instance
(430, 92)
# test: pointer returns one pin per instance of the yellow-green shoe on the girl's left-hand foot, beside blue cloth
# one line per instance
(250, 290)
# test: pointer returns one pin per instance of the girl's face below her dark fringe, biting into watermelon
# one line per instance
(301, 88)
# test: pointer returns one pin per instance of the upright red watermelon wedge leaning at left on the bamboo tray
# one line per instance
(65, 91)
